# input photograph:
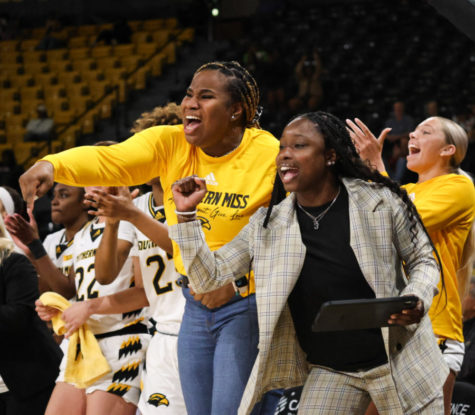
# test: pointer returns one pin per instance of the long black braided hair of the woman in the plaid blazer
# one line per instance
(349, 164)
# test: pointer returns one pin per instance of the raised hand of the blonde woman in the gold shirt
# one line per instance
(368, 146)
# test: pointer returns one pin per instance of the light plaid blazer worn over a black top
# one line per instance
(382, 241)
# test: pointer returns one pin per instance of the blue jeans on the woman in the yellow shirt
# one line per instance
(216, 351)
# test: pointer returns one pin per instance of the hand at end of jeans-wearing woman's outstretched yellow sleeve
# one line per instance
(36, 181)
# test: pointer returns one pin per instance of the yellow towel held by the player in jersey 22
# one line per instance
(85, 362)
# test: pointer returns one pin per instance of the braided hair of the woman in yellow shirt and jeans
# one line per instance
(242, 87)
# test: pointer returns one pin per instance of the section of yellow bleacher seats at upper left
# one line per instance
(79, 84)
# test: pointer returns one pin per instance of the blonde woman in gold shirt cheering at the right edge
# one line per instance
(445, 200)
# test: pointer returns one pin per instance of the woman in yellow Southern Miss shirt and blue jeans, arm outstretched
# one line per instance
(220, 140)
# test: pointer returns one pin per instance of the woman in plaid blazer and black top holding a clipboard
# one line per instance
(344, 232)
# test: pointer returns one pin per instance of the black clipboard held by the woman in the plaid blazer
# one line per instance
(360, 314)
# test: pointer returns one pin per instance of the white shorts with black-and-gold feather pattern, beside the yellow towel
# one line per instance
(125, 354)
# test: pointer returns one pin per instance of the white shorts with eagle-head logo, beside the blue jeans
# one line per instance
(161, 393)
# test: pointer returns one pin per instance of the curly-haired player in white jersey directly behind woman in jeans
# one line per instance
(161, 393)
